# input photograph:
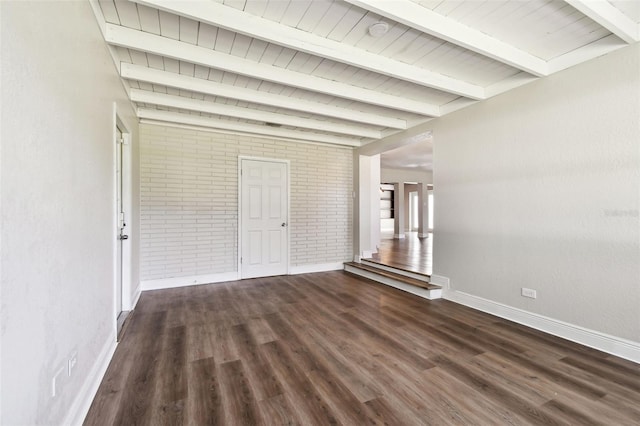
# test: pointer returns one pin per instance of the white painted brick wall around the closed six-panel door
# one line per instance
(189, 200)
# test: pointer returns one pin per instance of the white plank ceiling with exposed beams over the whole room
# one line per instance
(310, 70)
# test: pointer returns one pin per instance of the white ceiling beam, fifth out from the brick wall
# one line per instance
(232, 19)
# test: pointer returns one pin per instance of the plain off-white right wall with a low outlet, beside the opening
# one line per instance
(540, 188)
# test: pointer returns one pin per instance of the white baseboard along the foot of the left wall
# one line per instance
(84, 399)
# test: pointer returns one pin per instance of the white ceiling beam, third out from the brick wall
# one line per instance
(193, 84)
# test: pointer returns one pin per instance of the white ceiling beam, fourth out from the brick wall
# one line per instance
(163, 46)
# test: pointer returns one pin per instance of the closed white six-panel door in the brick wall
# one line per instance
(263, 214)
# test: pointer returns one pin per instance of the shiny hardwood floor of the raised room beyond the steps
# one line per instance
(410, 253)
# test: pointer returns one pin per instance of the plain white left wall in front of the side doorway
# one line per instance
(57, 193)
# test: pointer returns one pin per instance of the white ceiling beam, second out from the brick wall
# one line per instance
(181, 102)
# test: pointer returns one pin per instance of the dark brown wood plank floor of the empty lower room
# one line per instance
(332, 348)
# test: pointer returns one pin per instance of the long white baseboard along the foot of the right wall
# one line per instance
(613, 345)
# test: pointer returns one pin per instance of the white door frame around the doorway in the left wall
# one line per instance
(126, 300)
